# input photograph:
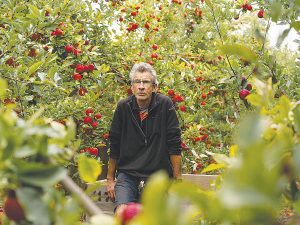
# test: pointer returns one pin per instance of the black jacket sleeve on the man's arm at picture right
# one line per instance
(173, 131)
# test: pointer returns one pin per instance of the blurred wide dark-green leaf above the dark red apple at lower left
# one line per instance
(40, 175)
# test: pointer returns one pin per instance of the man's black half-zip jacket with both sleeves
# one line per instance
(141, 151)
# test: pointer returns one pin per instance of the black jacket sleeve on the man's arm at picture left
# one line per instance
(115, 134)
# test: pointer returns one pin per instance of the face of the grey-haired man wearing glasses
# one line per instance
(143, 91)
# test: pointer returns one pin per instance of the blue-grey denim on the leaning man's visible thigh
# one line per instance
(126, 189)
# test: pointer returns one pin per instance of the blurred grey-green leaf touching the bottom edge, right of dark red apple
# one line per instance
(35, 209)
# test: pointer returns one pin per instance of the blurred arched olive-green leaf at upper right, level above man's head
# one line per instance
(241, 51)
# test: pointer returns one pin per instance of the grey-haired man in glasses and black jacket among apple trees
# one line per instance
(145, 137)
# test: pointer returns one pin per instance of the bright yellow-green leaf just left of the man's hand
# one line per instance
(89, 169)
